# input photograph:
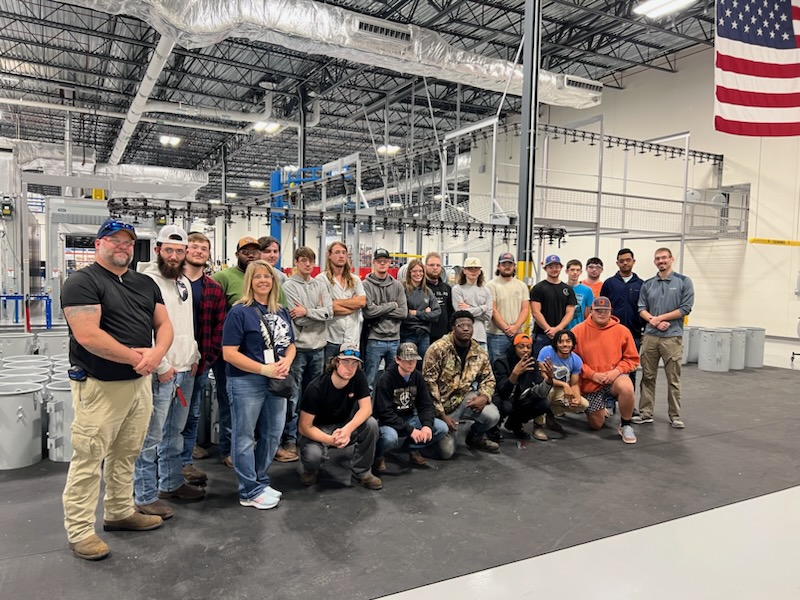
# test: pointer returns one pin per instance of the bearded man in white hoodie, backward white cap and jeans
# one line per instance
(158, 471)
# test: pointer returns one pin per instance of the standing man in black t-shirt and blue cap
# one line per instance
(552, 305)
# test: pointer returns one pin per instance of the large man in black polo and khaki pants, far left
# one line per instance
(113, 314)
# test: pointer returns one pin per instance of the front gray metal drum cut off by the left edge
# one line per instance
(20, 425)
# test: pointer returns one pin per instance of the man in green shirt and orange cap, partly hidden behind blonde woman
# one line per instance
(232, 282)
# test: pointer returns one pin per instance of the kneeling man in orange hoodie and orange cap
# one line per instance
(609, 354)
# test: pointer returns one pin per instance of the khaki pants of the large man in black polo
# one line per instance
(111, 419)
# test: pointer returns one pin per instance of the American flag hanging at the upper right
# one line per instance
(757, 67)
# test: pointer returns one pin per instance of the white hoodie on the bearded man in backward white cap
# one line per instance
(183, 352)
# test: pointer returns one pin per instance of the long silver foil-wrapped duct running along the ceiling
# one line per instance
(315, 28)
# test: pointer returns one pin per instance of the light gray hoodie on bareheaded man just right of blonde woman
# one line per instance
(311, 330)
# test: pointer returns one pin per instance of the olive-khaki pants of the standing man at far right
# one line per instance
(671, 350)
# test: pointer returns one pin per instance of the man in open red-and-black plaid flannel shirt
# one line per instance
(209, 313)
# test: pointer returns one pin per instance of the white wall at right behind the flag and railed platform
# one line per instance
(737, 283)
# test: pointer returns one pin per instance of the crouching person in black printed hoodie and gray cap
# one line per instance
(404, 408)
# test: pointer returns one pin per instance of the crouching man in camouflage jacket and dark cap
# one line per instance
(461, 383)
